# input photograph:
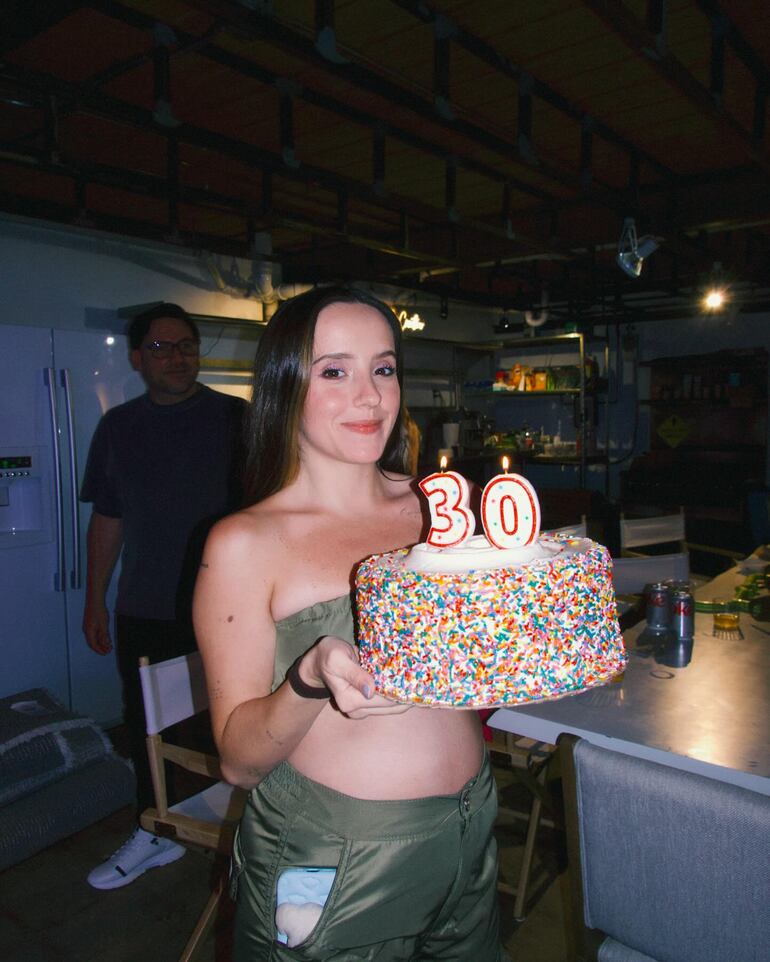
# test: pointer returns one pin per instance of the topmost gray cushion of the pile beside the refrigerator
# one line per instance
(41, 742)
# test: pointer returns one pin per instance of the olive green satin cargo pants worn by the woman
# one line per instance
(415, 879)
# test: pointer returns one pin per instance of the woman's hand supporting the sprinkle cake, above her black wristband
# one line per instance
(333, 662)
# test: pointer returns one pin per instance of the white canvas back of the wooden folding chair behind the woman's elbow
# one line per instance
(173, 690)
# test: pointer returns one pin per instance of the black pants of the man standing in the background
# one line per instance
(158, 640)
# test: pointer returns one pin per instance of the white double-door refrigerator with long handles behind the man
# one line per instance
(55, 386)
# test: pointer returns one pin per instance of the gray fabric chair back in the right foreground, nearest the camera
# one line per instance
(664, 865)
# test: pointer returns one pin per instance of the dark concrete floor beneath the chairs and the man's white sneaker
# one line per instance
(48, 913)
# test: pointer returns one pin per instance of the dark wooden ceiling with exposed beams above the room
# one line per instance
(222, 71)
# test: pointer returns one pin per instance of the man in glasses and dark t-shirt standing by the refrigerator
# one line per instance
(161, 469)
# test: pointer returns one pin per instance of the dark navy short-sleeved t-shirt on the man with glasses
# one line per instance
(169, 471)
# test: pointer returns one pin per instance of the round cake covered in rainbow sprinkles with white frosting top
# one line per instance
(522, 632)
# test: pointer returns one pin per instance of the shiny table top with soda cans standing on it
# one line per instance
(711, 717)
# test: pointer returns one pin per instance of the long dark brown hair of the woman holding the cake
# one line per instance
(281, 372)
